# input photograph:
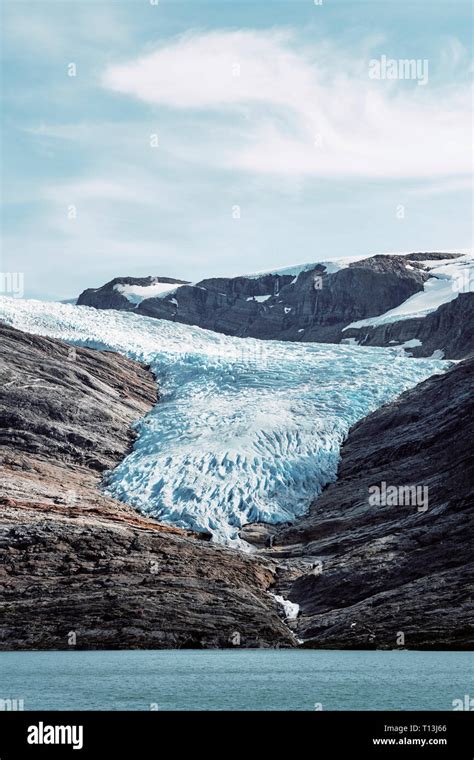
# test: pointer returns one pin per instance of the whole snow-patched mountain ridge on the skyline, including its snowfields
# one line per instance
(321, 302)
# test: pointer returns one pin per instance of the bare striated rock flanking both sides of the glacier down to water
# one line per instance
(78, 568)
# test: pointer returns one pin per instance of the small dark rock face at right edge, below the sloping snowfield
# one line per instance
(448, 329)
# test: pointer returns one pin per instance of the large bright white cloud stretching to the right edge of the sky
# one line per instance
(299, 111)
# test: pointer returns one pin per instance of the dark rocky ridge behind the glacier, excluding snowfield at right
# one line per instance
(313, 305)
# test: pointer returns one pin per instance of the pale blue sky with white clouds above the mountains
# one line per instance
(190, 139)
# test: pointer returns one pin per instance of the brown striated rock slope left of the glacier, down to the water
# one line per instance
(79, 568)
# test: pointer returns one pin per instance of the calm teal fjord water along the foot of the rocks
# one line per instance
(236, 680)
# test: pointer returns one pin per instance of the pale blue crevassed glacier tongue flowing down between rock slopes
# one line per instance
(245, 430)
